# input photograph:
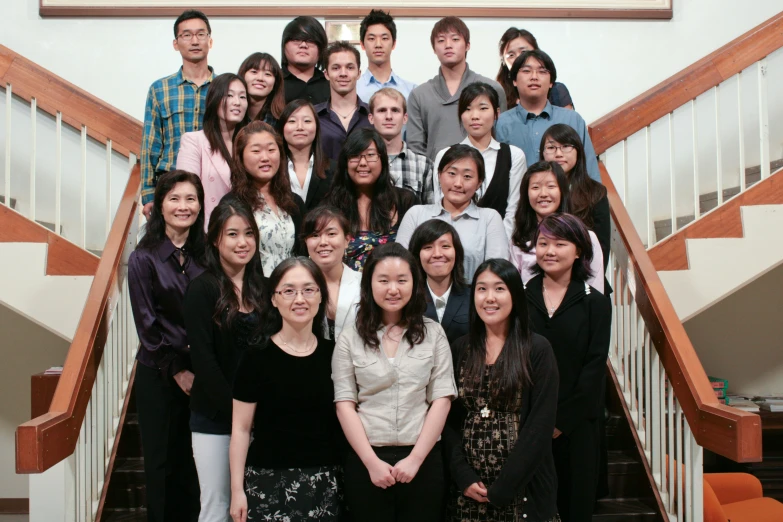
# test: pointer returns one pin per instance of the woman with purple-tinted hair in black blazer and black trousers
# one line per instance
(576, 319)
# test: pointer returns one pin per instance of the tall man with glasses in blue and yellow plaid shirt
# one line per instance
(175, 104)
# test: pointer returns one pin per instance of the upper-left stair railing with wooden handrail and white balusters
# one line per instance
(66, 154)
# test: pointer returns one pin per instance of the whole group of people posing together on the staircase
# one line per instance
(361, 299)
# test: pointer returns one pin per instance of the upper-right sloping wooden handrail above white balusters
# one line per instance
(687, 84)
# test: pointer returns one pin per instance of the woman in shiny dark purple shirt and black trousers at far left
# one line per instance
(166, 259)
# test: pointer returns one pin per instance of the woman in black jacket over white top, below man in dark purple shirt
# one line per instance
(309, 169)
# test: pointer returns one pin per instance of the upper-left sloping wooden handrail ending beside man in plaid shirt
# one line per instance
(52, 93)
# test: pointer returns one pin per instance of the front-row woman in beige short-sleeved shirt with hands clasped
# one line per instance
(393, 385)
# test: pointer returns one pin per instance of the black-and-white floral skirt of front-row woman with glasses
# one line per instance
(293, 495)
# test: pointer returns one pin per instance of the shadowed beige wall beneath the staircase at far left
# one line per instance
(26, 349)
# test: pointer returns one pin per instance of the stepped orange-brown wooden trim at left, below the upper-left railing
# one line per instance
(62, 256)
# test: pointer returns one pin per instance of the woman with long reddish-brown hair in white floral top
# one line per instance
(259, 177)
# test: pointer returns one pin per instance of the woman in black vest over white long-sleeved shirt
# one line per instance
(504, 164)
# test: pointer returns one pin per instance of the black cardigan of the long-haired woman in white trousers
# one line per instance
(213, 351)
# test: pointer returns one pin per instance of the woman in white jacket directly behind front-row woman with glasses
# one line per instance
(325, 232)
